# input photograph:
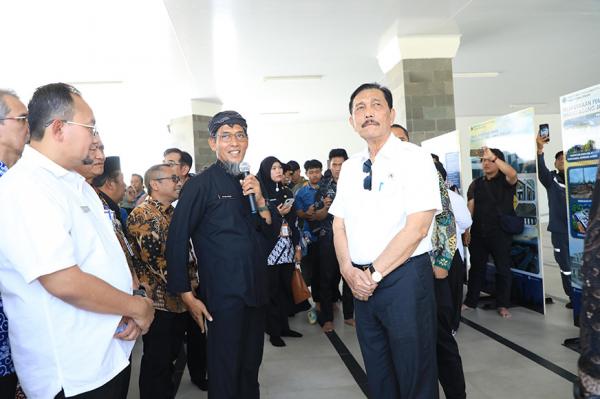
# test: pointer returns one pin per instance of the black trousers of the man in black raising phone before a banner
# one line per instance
(497, 243)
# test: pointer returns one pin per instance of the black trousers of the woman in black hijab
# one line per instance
(280, 298)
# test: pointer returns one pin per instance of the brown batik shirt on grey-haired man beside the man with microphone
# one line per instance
(148, 226)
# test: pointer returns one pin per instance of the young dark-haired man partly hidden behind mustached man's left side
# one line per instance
(330, 270)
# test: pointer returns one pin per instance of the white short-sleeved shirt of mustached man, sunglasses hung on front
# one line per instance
(404, 181)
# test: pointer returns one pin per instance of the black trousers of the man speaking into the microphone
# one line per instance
(235, 349)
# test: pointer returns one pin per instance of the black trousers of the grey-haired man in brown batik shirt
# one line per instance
(162, 344)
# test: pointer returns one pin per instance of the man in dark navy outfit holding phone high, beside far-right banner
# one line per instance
(557, 226)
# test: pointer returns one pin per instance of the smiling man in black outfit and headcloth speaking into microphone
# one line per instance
(231, 244)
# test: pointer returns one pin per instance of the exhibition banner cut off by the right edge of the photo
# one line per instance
(580, 115)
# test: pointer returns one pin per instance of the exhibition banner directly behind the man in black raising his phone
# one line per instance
(514, 134)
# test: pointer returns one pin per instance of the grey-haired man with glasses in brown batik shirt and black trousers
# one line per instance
(148, 225)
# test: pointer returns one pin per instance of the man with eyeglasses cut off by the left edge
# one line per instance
(14, 131)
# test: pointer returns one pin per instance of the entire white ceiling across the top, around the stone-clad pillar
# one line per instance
(142, 61)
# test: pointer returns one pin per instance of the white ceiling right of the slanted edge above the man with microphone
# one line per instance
(541, 48)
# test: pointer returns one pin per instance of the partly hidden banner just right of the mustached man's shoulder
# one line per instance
(446, 147)
